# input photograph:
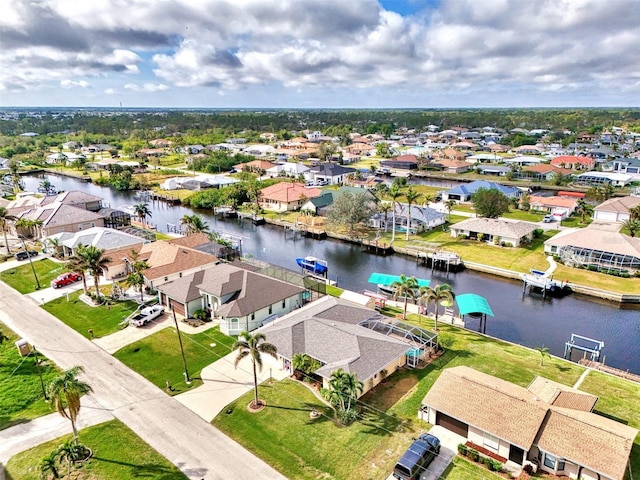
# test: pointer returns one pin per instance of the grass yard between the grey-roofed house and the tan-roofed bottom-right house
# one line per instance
(369, 448)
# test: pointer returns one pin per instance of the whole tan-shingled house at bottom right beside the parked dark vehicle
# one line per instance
(547, 424)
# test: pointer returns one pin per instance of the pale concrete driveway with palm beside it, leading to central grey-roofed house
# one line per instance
(223, 383)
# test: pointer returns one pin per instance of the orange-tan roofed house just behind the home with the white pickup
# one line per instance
(167, 260)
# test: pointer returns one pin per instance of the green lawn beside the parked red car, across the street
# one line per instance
(81, 317)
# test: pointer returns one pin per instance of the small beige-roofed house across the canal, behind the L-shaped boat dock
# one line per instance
(494, 230)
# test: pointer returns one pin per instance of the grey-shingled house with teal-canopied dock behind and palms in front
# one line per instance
(335, 332)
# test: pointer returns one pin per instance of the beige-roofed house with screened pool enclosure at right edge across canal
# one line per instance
(600, 245)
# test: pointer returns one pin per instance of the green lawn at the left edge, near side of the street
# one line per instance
(21, 397)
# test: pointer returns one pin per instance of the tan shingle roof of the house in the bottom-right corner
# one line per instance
(516, 415)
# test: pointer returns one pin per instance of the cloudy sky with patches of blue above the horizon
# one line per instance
(319, 53)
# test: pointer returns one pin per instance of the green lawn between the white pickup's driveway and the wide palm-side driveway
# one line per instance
(158, 358)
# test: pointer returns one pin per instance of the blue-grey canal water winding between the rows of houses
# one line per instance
(526, 319)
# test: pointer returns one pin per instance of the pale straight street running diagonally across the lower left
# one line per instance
(185, 439)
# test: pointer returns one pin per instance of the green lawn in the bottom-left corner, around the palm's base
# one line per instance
(118, 454)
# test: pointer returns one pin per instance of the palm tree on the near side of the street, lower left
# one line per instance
(65, 391)
